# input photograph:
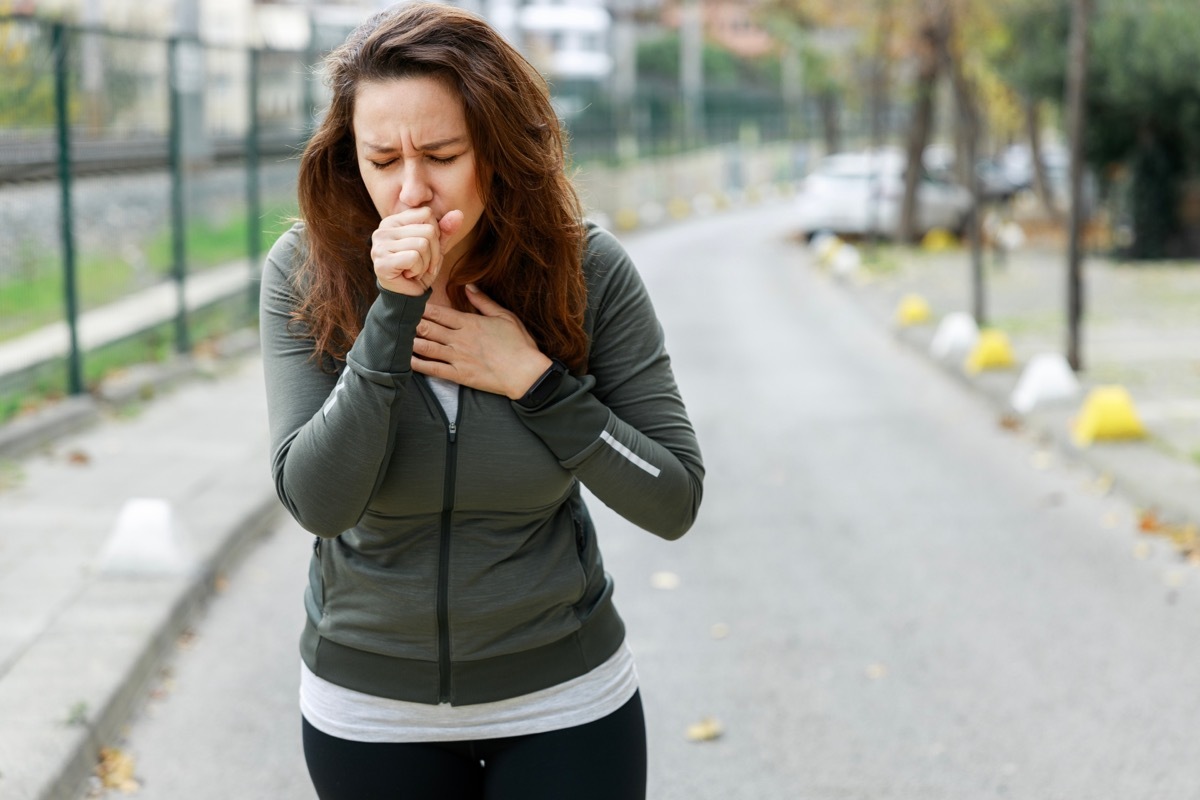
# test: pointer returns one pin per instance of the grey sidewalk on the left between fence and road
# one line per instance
(80, 647)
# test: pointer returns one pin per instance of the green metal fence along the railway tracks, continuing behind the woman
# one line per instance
(142, 181)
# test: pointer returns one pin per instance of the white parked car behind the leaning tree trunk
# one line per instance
(861, 194)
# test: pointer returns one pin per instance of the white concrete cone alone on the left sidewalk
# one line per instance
(147, 542)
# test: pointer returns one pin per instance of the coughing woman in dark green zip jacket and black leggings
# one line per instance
(451, 353)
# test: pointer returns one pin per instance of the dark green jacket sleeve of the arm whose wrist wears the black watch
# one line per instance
(623, 429)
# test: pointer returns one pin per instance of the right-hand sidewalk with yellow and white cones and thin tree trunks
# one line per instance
(1142, 332)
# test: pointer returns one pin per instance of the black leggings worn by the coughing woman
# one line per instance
(599, 761)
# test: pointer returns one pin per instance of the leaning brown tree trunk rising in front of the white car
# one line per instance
(929, 59)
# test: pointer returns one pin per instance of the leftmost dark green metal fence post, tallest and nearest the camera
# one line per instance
(63, 123)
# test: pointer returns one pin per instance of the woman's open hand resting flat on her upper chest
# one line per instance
(491, 351)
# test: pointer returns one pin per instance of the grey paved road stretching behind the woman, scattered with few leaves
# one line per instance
(920, 605)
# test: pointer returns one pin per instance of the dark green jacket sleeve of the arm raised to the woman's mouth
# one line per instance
(331, 434)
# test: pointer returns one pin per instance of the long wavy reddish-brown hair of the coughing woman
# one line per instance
(529, 246)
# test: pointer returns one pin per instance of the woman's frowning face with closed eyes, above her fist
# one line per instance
(415, 152)
